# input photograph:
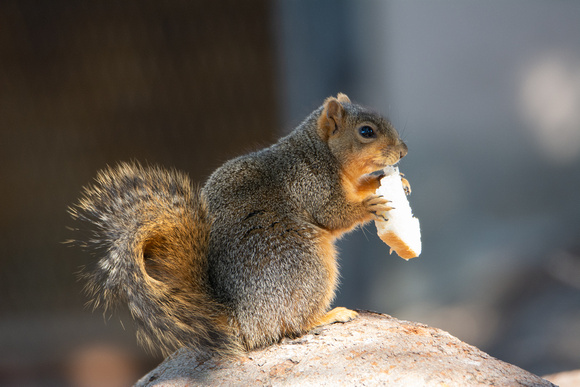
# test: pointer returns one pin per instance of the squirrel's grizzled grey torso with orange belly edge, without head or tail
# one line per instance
(269, 263)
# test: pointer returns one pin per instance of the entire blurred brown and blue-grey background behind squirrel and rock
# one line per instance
(486, 95)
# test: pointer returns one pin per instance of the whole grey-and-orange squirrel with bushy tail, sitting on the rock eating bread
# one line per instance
(249, 258)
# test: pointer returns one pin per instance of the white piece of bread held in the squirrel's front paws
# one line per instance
(400, 230)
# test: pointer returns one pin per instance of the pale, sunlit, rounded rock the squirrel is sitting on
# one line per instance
(374, 349)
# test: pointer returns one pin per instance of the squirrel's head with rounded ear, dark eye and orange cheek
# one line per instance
(362, 140)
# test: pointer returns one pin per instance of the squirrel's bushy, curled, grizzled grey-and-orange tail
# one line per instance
(150, 228)
